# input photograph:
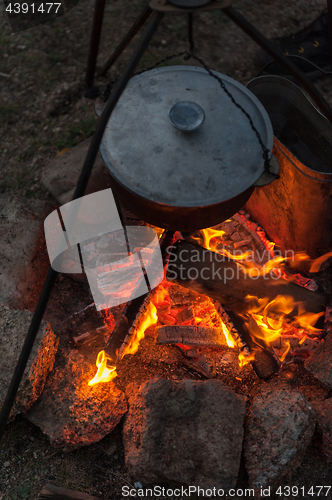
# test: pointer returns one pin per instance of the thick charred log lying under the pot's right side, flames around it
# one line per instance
(221, 279)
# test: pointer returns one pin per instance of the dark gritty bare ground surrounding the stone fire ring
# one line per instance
(42, 112)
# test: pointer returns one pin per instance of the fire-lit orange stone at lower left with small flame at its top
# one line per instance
(72, 413)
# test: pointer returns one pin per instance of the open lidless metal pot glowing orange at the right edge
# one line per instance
(296, 210)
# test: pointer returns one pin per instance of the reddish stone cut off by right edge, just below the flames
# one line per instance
(320, 362)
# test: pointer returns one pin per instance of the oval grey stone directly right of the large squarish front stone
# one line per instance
(278, 431)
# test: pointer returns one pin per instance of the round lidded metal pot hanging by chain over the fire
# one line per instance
(181, 154)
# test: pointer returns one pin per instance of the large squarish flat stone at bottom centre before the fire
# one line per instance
(185, 433)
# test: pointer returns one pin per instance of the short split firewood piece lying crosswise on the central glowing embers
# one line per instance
(191, 335)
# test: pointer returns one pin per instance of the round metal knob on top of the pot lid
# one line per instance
(186, 116)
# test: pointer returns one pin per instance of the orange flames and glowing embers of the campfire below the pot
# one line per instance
(280, 326)
